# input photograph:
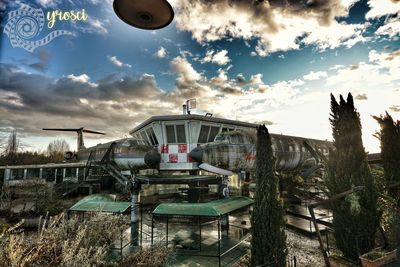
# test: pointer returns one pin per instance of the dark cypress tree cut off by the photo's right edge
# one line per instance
(389, 136)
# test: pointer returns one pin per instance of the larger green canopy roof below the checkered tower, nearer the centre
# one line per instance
(216, 208)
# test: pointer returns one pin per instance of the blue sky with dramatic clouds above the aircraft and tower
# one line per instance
(271, 61)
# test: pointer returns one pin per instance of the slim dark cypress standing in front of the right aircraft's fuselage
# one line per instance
(268, 245)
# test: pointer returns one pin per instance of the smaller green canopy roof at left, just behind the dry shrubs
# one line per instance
(100, 203)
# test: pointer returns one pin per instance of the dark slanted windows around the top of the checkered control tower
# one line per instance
(176, 134)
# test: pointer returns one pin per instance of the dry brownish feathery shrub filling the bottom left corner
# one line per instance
(61, 242)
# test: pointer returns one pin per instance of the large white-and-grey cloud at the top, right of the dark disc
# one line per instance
(276, 26)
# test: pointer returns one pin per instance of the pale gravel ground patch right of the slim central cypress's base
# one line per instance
(305, 249)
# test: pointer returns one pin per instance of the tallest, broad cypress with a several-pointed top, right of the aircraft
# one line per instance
(356, 218)
